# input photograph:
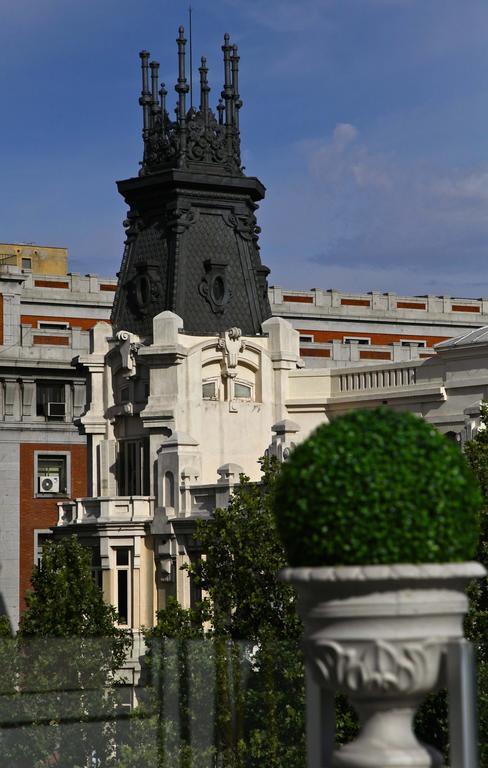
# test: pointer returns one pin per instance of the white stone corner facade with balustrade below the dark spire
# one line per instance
(186, 415)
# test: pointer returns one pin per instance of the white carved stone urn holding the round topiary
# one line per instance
(378, 634)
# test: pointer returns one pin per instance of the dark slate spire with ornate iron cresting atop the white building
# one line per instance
(192, 236)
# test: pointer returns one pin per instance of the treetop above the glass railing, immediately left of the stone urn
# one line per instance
(243, 555)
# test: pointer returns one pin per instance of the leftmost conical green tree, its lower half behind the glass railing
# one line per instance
(69, 650)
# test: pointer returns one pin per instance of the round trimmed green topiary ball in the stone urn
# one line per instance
(377, 487)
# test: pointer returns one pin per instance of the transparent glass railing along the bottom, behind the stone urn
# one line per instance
(205, 703)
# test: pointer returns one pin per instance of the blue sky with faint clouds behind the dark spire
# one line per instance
(366, 120)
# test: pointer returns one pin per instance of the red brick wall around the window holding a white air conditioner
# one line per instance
(42, 512)
